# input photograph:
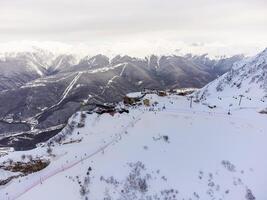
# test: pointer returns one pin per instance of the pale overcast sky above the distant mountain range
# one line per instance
(137, 26)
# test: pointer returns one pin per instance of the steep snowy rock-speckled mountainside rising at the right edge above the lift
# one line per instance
(244, 84)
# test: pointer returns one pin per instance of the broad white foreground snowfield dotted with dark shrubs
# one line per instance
(167, 151)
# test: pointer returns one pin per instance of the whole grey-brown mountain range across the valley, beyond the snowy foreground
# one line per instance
(39, 91)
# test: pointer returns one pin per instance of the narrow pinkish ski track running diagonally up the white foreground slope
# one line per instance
(72, 164)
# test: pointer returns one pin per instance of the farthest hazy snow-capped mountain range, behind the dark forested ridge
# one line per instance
(22, 67)
